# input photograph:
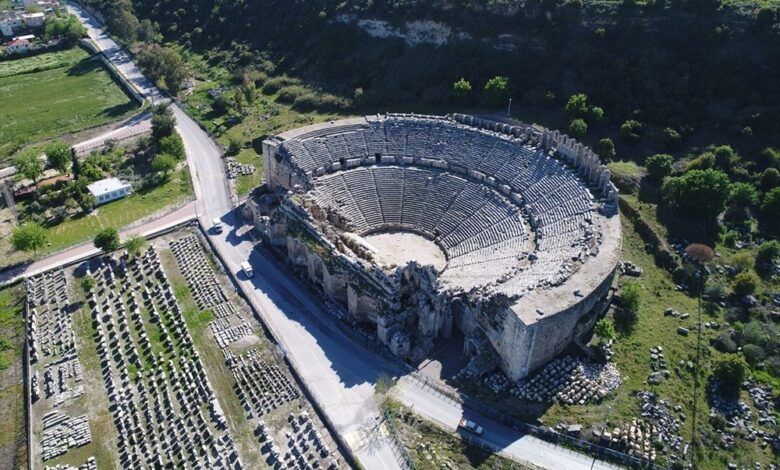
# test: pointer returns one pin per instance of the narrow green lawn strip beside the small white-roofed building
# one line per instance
(122, 212)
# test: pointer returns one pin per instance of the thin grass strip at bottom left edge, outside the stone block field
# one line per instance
(13, 437)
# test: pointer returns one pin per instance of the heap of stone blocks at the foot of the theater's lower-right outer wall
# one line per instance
(570, 381)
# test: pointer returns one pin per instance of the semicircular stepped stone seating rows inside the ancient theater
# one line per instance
(517, 245)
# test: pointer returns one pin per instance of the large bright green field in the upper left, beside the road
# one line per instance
(68, 93)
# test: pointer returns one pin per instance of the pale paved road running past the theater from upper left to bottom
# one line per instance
(339, 374)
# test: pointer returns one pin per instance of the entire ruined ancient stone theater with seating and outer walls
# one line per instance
(429, 227)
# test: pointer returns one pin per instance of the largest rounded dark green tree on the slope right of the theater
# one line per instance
(698, 193)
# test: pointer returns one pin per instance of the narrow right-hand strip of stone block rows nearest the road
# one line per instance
(289, 434)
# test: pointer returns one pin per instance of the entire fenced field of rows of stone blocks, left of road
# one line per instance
(152, 376)
